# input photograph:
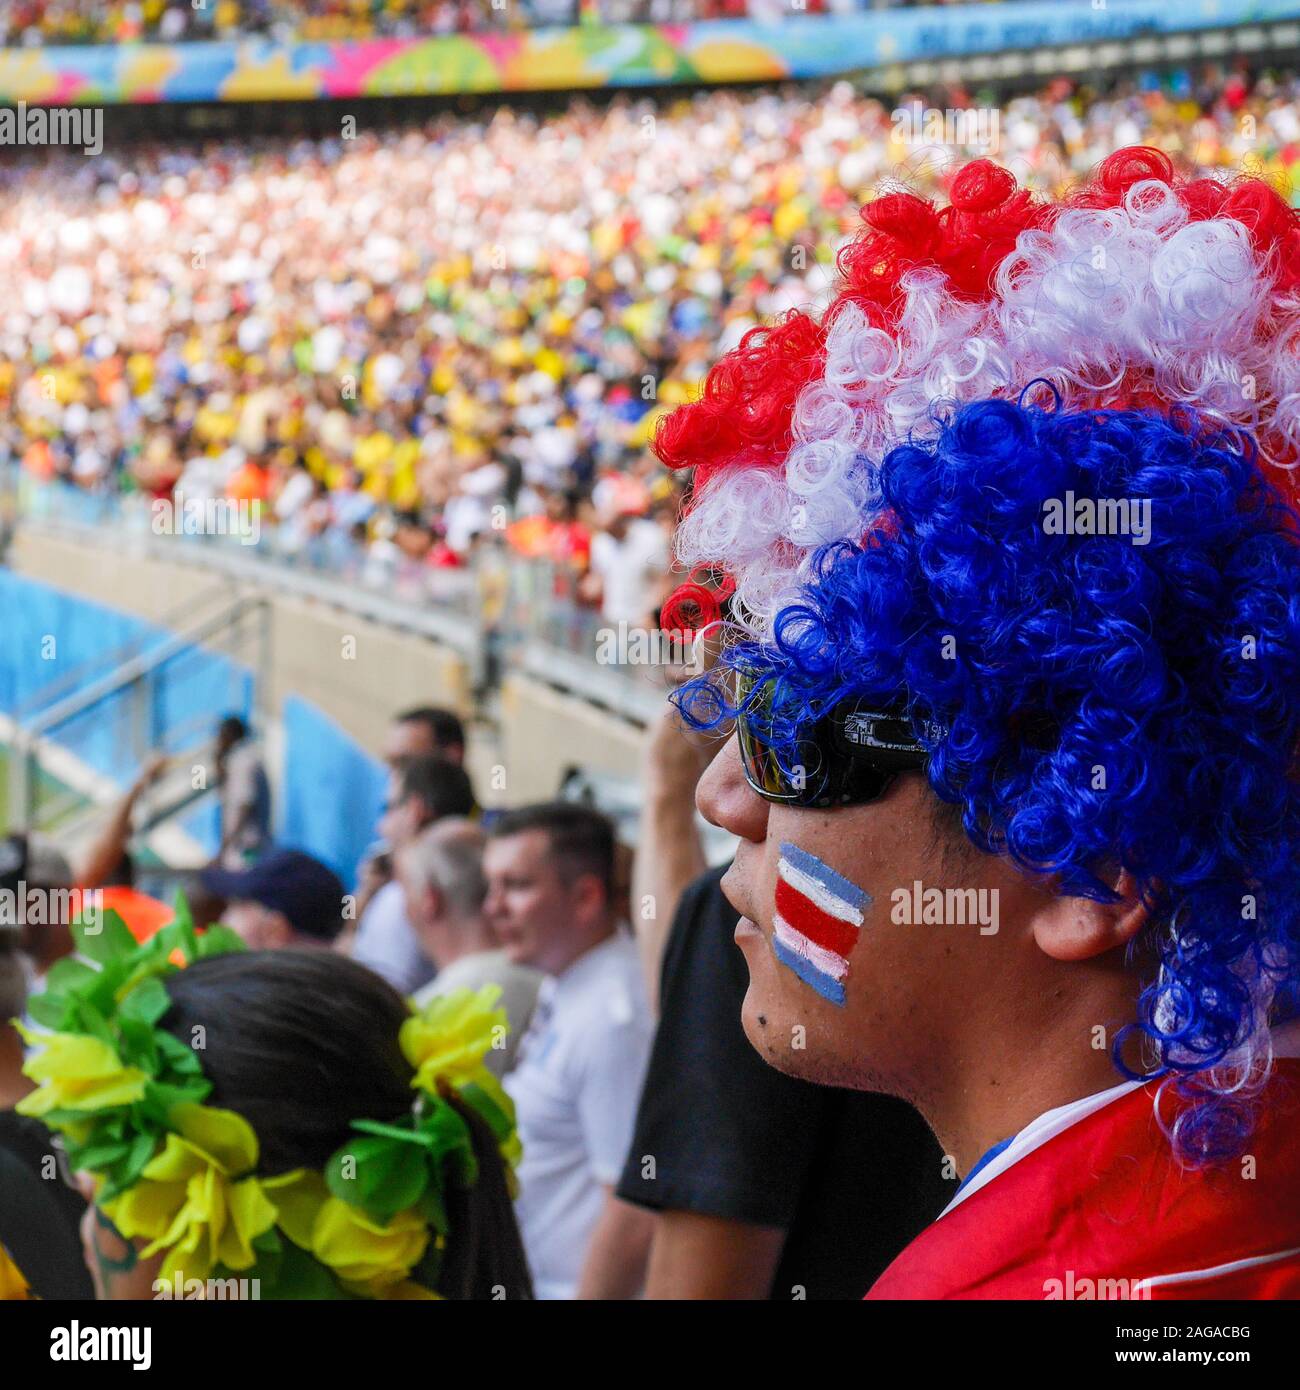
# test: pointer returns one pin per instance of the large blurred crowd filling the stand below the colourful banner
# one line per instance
(419, 343)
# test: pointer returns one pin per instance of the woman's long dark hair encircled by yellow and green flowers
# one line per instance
(304, 1043)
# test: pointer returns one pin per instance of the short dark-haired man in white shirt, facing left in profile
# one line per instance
(582, 1064)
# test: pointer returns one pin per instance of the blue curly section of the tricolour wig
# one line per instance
(1124, 701)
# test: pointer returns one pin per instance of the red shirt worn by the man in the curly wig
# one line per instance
(1102, 1210)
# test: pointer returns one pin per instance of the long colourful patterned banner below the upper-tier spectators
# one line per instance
(592, 56)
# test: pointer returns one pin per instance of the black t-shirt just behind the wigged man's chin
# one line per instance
(852, 1177)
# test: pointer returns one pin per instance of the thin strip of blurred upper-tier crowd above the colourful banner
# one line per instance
(34, 23)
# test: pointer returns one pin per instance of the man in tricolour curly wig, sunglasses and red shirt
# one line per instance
(1014, 557)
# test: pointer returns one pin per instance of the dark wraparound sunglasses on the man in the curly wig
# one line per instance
(849, 758)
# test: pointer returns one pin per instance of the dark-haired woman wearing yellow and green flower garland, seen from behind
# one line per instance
(276, 1122)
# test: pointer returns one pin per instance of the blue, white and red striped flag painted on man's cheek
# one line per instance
(818, 918)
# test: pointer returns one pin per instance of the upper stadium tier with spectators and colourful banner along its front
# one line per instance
(468, 47)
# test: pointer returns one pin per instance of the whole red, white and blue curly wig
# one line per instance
(874, 483)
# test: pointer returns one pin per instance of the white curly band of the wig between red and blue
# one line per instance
(1102, 304)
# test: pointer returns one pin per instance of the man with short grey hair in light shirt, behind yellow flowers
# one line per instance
(441, 876)
